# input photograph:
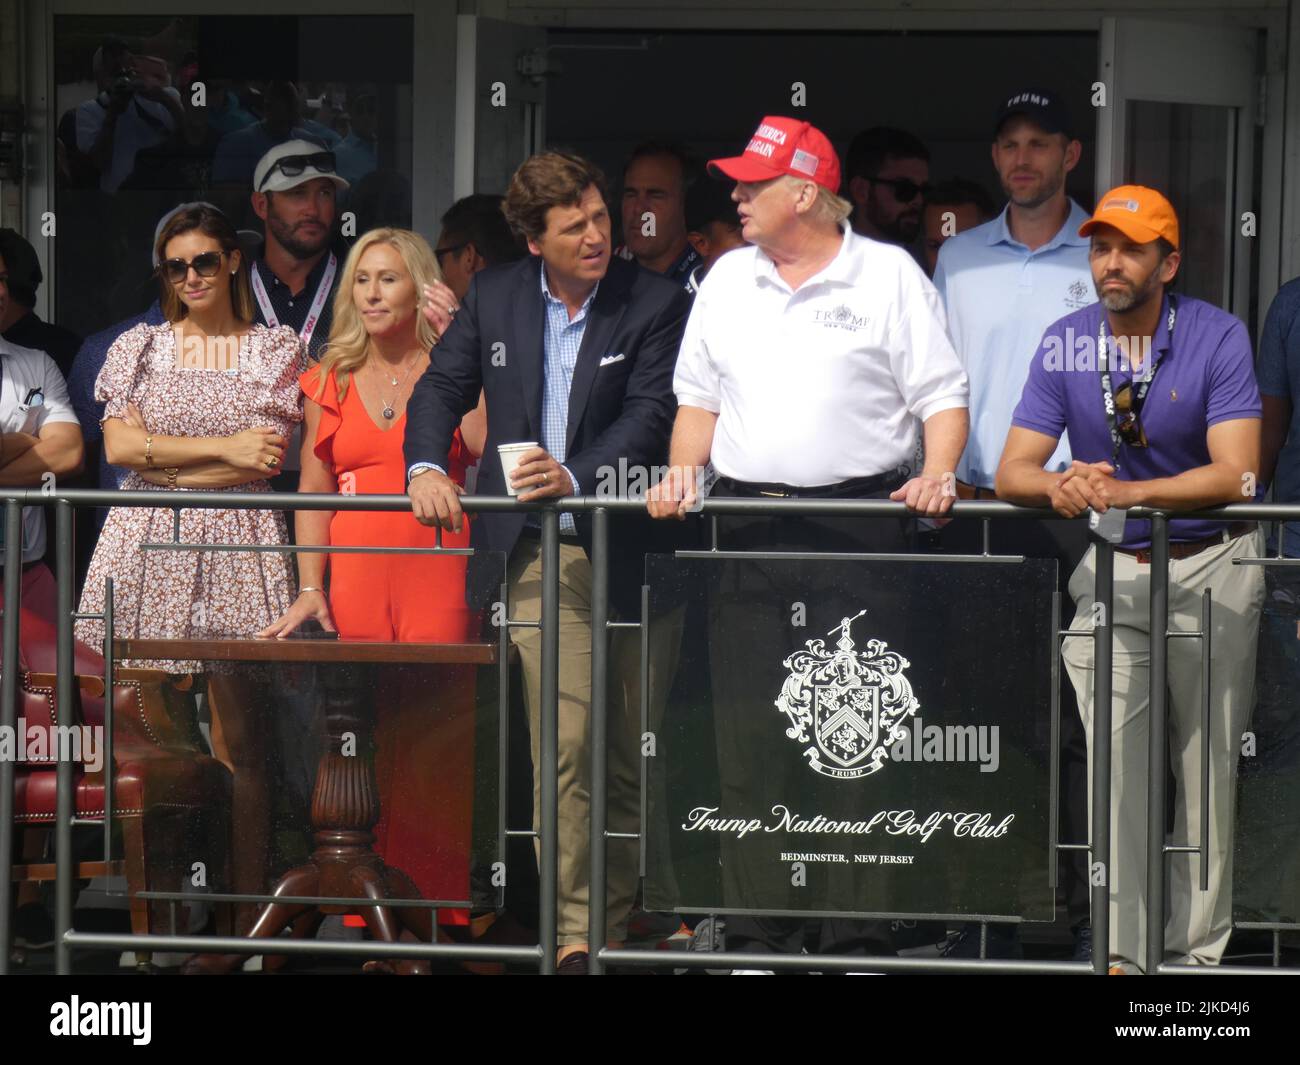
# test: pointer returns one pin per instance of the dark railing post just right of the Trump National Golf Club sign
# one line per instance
(1103, 637)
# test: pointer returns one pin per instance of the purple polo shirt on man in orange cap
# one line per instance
(1204, 375)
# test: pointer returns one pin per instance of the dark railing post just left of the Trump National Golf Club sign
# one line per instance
(600, 735)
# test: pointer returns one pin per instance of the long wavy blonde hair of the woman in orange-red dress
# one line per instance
(349, 343)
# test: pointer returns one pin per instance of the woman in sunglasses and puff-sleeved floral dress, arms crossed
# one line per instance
(206, 401)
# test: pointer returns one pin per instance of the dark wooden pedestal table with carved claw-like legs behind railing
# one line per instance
(345, 804)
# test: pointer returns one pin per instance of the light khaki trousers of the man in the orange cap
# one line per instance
(1198, 924)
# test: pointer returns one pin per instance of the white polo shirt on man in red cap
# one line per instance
(825, 384)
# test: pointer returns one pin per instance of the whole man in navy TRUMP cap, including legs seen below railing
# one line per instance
(1004, 284)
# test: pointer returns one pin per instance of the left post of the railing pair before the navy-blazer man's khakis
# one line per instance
(549, 739)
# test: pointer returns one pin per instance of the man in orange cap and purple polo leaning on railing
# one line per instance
(1159, 397)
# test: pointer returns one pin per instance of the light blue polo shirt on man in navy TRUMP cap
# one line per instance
(1000, 297)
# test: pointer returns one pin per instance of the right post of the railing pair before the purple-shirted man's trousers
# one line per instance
(1158, 755)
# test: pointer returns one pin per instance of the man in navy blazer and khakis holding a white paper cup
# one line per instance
(577, 352)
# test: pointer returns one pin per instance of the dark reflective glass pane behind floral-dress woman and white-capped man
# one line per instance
(158, 111)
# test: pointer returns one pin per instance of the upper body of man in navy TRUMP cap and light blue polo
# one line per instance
(1008, 280)
